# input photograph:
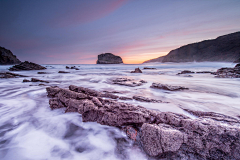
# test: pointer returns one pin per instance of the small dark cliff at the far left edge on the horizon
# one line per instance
(7, 57)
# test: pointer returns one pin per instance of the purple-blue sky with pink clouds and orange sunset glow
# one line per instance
(76, 31)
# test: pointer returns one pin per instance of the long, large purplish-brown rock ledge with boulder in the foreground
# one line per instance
(161, 134)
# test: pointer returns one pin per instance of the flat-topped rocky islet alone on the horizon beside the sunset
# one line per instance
(109, 58)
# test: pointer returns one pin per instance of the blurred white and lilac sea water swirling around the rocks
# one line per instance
(30, 130)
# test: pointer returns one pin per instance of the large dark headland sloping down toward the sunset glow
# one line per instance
(222, 49)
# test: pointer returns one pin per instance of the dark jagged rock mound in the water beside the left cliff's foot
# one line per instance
(27, 66)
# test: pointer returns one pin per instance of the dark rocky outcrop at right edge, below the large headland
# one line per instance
(228, 72)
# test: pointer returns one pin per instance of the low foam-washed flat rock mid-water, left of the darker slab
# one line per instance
(128, 82)
